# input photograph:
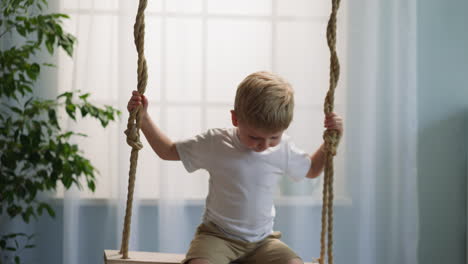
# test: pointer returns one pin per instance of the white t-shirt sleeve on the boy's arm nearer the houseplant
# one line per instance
(195, 152)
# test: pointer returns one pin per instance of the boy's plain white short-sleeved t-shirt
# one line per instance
(242, 182)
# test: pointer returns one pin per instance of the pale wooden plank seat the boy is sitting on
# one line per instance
(140, 257)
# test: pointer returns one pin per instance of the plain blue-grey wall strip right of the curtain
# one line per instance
(443, 111)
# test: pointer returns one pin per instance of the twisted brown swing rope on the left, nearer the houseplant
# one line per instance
(134, 122)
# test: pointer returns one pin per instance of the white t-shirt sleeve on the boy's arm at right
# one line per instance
(298, 162)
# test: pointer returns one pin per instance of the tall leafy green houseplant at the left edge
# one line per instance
(36, 153)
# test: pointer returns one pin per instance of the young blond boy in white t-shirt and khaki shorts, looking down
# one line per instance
(244, 163)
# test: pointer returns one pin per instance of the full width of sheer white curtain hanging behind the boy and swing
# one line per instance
(193, 47)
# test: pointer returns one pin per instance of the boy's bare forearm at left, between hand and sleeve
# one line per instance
(161, 144)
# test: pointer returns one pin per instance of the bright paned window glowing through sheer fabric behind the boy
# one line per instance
(197, 51)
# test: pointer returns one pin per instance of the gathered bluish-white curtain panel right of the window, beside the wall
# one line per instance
(382, 130)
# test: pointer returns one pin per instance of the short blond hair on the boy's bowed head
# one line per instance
(265, 101)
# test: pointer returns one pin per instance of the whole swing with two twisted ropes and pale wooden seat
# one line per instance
(330, 137)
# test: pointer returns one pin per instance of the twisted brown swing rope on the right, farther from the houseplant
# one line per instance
(331, 138)
